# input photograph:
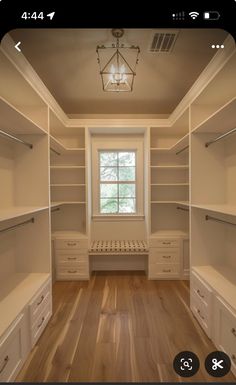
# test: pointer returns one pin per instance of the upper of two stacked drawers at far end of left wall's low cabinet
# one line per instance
(39, 301)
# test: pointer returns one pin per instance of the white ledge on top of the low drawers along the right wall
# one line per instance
(222, 279)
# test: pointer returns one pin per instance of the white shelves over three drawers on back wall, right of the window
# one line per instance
(169, 200)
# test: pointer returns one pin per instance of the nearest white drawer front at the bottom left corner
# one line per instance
(13, 350)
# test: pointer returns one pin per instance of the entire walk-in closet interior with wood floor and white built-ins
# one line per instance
(117, 209)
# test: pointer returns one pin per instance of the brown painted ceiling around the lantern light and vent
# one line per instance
(66, 61)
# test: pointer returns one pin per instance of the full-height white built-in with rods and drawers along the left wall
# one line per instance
(25, 257)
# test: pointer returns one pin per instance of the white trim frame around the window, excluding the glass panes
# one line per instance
(115, 144)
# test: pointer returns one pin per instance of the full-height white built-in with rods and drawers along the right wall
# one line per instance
(213, 209)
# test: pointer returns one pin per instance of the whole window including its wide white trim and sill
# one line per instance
(117, 177)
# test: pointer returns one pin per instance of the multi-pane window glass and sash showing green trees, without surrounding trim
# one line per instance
(117, 182)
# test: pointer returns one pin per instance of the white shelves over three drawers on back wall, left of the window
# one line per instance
(68, 191)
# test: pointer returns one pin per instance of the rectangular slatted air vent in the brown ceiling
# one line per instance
(163, 41)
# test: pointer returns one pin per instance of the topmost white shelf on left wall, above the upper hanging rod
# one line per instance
(15, 123)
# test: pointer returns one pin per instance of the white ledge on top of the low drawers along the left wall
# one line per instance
(15, 292)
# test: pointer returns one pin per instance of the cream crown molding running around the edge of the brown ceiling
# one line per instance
(28, 72)
